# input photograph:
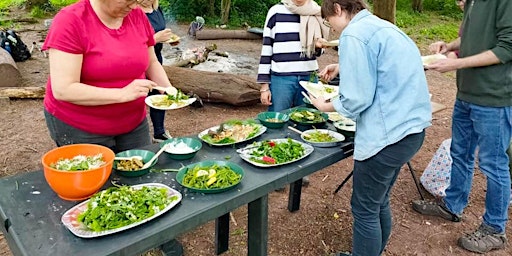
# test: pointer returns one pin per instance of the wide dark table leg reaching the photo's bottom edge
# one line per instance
(258, 227)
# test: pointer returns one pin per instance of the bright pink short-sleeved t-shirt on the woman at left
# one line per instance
(112, 58)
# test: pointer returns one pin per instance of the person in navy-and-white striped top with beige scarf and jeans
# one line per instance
(288, 54)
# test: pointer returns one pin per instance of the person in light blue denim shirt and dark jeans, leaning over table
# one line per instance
(384, 89)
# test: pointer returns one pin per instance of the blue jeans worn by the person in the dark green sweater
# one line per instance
(490, 129)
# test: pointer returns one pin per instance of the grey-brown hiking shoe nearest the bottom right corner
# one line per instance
(484, 239)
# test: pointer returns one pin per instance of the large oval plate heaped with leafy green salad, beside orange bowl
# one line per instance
(125, 206)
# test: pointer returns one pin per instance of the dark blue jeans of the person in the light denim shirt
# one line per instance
(373, 180)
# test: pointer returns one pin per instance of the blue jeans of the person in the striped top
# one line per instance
(286, 92)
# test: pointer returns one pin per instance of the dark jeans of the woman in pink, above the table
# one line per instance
(64, 134)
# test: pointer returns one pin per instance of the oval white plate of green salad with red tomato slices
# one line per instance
(275, 152)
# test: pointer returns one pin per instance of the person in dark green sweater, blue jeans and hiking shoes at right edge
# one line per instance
(482, 118)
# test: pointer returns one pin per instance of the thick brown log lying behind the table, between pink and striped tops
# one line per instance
(232, 89)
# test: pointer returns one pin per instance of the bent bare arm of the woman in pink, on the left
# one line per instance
(65, 75)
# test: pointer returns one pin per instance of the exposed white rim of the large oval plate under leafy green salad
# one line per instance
(69, 219)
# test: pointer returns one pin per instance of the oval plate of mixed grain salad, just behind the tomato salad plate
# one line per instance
(231, 132)
